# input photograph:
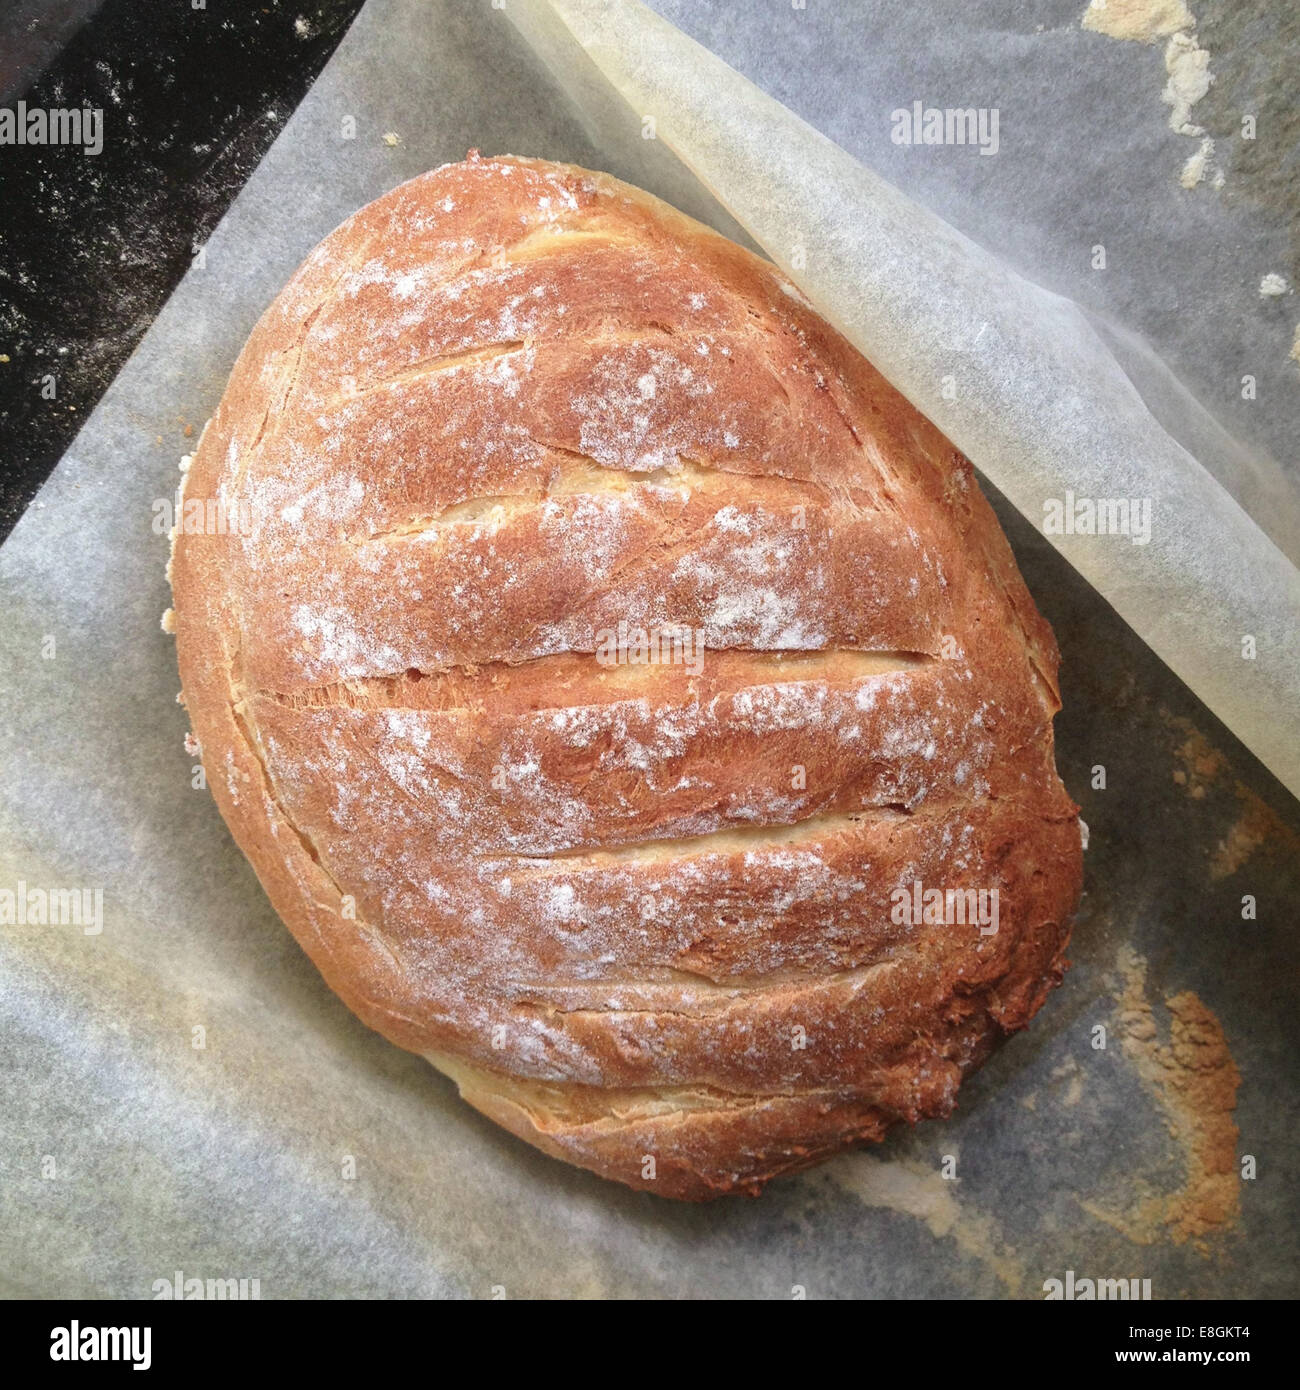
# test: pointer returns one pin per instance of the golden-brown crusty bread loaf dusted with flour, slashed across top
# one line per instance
(650, 915)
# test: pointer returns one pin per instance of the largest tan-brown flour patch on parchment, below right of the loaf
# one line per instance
(1195, 1081)
